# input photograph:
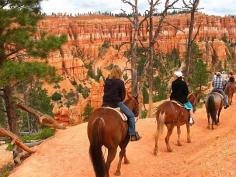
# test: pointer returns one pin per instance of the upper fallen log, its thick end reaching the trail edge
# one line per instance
(43, 119)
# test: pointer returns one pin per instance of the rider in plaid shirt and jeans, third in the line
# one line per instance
(218, 85)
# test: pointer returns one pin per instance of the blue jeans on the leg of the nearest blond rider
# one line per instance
(130, 115)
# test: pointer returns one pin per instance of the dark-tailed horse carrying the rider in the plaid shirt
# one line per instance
(214, 104)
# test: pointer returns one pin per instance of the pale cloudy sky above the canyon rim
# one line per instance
(211, 7)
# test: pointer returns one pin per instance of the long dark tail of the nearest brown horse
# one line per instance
(95, 149)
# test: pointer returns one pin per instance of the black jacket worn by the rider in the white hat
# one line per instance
(179, 91)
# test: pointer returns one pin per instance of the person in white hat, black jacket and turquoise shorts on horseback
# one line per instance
(180, 93)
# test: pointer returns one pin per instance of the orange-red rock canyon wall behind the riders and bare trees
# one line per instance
(87, 34)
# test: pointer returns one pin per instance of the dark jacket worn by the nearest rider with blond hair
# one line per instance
(114, 92)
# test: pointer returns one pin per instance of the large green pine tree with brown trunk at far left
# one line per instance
(18, 31)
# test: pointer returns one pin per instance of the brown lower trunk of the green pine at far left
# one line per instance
(10, 109)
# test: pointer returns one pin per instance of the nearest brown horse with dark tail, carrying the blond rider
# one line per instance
(106, 127)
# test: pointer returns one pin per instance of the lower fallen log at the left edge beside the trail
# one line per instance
(15, 140)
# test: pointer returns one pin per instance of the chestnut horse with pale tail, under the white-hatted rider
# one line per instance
(172, 114)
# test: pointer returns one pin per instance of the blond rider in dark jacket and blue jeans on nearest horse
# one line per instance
(114, 94)
